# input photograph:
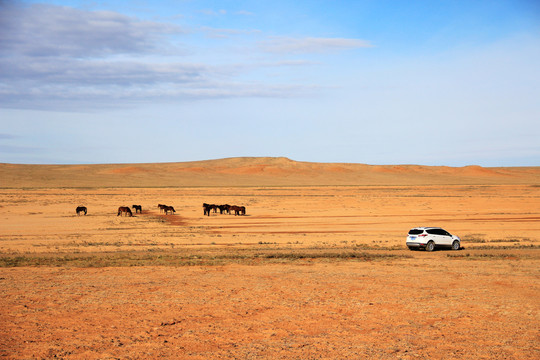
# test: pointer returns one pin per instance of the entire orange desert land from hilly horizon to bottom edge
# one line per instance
(316, 269)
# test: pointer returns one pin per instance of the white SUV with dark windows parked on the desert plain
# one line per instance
(431, 237)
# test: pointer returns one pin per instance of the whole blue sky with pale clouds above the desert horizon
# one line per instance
(449, 82)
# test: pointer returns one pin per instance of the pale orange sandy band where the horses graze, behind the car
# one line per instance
(44, 220)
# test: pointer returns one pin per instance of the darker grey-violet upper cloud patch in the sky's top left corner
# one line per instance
(52, 31)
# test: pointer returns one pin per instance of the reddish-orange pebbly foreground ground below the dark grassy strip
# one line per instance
(426, 307)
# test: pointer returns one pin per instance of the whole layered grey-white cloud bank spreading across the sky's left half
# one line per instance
(65, 58)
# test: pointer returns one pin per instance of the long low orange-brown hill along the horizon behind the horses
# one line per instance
(256, 171)
